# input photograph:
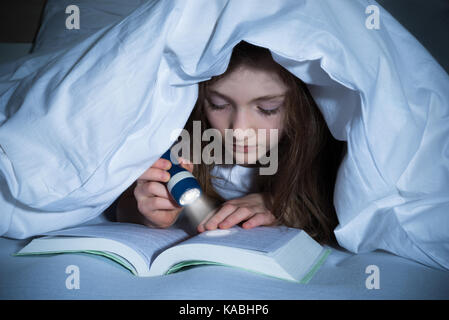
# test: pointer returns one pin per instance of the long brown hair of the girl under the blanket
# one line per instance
(301, 191)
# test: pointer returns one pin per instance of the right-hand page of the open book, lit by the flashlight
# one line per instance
(262, 239)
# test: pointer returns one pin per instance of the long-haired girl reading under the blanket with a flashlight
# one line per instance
(254, 93)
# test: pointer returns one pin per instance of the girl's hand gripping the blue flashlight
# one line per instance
(154, 202)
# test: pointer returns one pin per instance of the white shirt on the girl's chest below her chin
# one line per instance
(234, 181)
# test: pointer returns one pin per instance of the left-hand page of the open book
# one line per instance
(148, 242)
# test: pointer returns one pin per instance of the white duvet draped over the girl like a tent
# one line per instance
(80, 124)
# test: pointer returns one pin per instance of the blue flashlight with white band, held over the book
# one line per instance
(182, 185)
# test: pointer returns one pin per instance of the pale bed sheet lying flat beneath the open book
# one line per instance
(343, 276)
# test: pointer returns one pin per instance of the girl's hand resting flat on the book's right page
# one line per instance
(250, 208)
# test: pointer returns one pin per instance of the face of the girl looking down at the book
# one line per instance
(247, 99)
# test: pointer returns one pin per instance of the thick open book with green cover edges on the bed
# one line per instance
(280, 252)
